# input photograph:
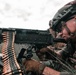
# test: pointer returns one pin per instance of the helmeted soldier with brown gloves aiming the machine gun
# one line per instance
(64, 22)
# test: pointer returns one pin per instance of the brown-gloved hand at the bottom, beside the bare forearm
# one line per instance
(33, 66)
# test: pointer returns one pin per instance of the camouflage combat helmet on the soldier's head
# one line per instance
(64, 14)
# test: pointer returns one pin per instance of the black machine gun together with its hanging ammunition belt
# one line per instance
(9, 36)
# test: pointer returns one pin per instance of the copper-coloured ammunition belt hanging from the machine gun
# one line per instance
(10, 64)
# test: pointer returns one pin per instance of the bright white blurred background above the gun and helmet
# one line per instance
(28, 14)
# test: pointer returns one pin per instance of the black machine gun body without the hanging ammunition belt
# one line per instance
(39, 38)
